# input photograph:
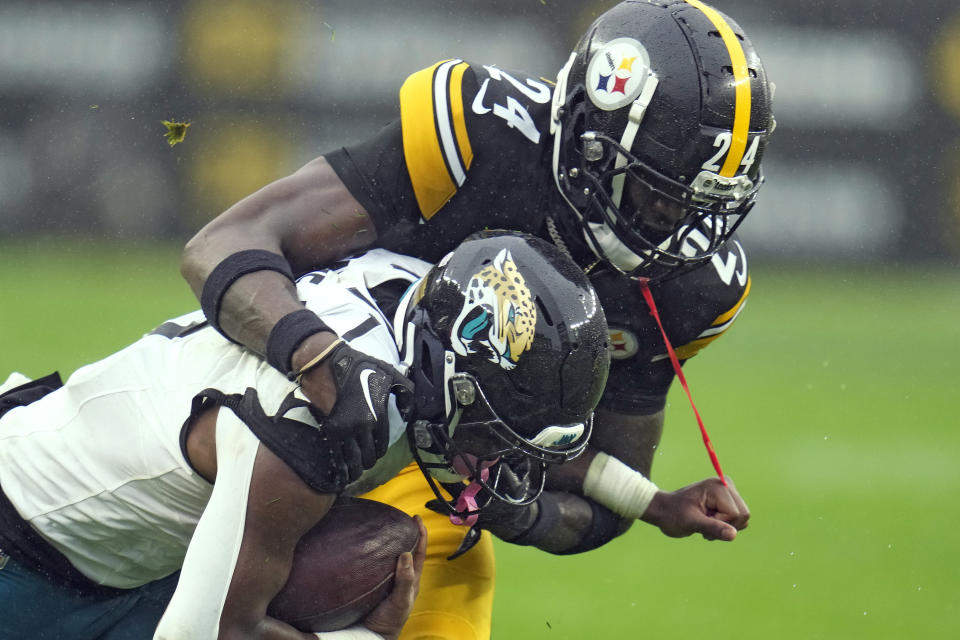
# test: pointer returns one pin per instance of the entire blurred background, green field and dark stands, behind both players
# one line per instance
(832, 402)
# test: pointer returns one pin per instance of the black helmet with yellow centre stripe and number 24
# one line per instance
(660, 119)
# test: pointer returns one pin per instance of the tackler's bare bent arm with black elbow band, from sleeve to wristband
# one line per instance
(303, 221)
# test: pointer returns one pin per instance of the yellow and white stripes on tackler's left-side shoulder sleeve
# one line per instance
(435, 142)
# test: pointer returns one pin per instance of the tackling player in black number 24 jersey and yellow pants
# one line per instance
(640, 161)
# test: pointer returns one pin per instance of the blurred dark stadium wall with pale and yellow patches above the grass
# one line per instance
(864, 165)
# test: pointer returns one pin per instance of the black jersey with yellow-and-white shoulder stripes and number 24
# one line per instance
(471, 151)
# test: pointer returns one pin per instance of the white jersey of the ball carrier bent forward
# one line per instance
(101, 458)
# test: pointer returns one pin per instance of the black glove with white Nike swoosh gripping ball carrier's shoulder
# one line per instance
(359, 417)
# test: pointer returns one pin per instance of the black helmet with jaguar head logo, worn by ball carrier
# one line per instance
(506, 343)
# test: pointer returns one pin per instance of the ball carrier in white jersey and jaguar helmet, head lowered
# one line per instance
(186, 452)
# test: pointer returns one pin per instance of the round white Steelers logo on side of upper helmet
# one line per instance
(616, 73)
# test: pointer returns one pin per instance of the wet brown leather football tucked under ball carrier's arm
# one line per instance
(344, 566)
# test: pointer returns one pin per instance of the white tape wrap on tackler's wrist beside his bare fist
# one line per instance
(618, 487)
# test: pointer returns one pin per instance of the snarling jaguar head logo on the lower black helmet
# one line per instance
(498, 314)
